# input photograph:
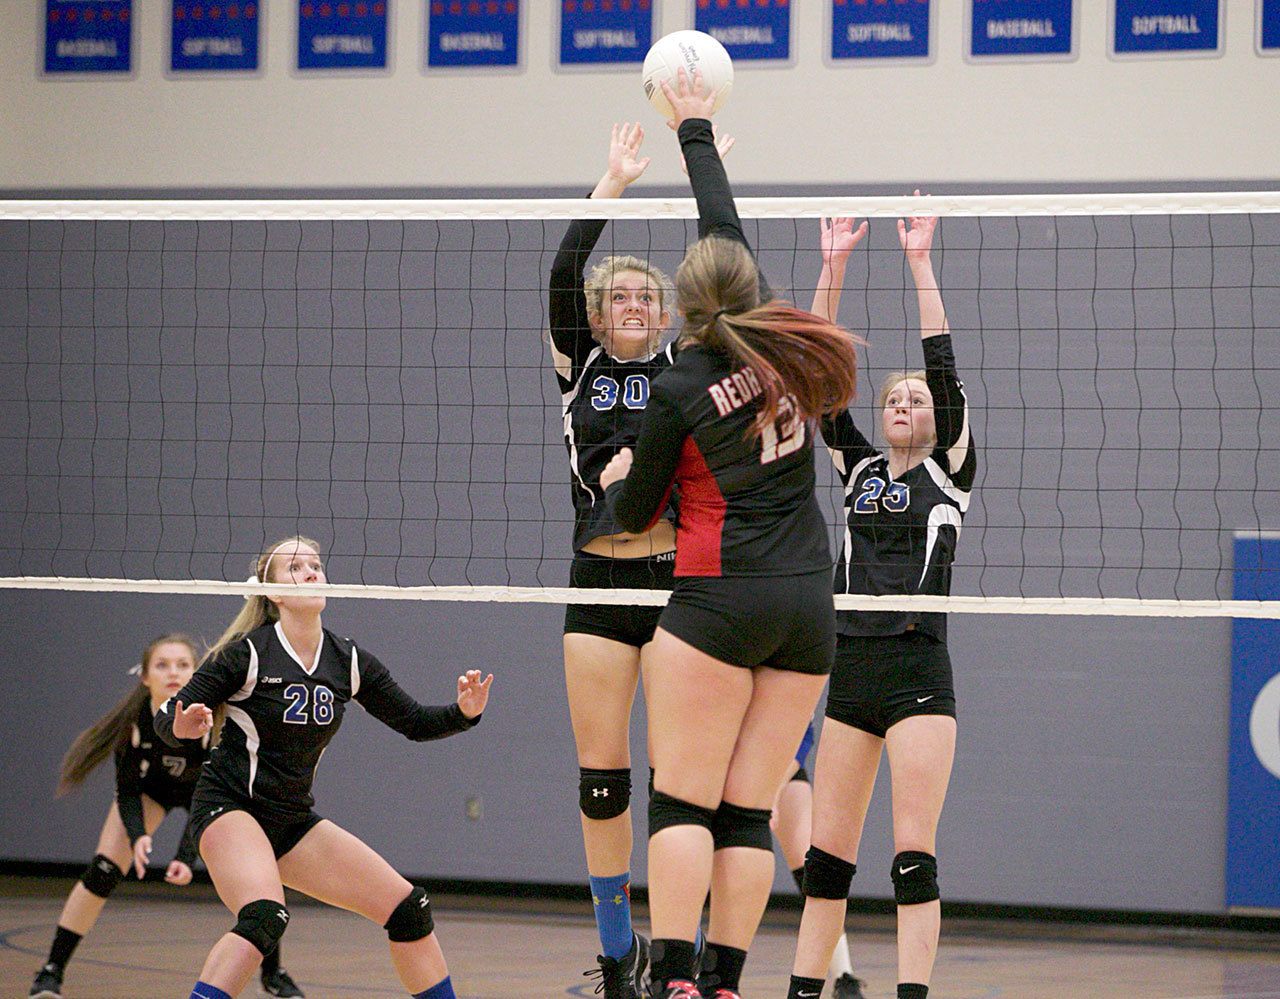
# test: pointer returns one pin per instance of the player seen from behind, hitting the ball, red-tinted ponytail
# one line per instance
(744, 646)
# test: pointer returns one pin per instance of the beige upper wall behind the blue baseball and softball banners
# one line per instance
(1094, 120)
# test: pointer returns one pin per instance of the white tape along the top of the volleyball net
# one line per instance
(752, 208)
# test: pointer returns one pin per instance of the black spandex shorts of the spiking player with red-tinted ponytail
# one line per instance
(788, 623)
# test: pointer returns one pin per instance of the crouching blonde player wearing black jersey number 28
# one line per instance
(286, 681)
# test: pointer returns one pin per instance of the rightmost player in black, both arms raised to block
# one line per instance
(892, 687)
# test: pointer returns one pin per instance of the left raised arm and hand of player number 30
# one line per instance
(570, 325)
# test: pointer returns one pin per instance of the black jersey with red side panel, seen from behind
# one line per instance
(747, 501)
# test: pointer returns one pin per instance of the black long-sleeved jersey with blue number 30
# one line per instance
(604, 399)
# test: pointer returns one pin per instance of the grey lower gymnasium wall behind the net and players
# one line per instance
(1092, 758)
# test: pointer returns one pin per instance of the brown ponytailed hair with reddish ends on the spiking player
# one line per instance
(794, 354)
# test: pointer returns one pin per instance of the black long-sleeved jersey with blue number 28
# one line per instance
(282, 714)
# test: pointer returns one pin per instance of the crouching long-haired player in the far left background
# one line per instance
(152, 779)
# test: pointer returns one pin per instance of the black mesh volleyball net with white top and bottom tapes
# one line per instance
(185, 382)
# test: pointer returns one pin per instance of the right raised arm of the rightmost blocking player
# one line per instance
(950, 405)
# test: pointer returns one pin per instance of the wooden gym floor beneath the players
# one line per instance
(149, 943)
